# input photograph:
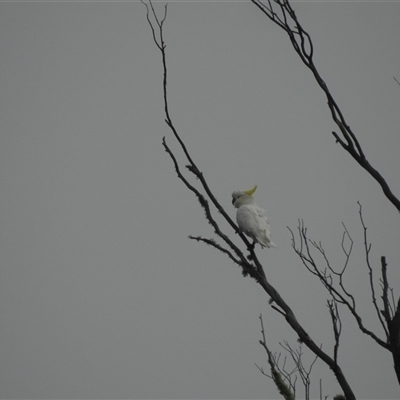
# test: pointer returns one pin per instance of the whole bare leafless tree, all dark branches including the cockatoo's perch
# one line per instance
(389, 316)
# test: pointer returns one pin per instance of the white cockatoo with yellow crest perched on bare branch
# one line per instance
(251, 219)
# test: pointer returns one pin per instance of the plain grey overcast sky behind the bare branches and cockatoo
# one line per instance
(102, 293)
